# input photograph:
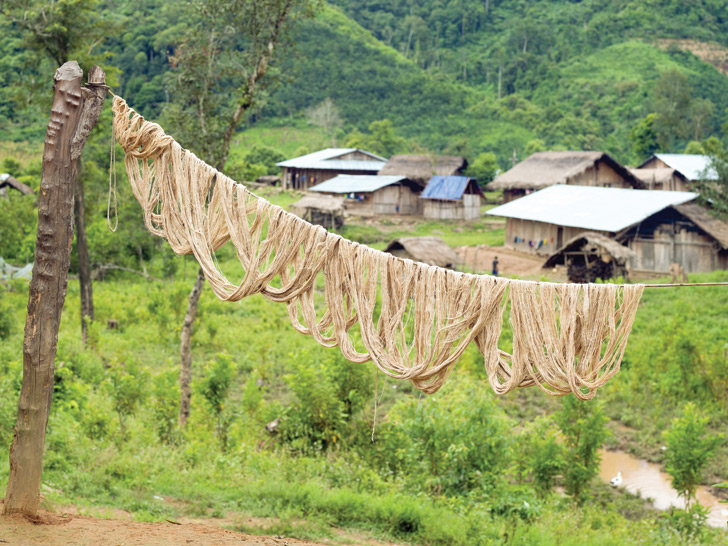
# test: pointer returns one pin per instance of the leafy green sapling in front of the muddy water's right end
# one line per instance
(689, 448)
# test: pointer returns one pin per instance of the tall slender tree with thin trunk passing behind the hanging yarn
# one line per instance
(220, 68)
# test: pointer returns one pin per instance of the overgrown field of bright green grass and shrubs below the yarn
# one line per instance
(458, 467)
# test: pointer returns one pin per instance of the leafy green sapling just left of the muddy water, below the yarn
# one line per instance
(582, 424)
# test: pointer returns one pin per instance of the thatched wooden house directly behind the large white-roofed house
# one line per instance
(544, 169)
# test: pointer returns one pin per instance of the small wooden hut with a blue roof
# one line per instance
(452, 198)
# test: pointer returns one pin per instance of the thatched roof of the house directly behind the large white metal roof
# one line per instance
(544, 169)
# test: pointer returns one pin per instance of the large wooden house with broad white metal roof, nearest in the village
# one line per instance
(661, 227)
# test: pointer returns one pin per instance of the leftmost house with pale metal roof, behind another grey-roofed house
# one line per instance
(302, 172)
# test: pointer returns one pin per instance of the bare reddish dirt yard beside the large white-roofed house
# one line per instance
(510, 262)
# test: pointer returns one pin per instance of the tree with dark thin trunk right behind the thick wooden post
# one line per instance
(60, 30)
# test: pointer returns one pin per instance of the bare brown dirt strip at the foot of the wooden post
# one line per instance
(70, 529)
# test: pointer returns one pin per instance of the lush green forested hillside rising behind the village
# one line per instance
(463, 76)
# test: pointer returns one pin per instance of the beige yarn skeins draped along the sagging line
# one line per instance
(414, 320)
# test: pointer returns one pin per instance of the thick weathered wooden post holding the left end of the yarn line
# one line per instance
(70, 123)
